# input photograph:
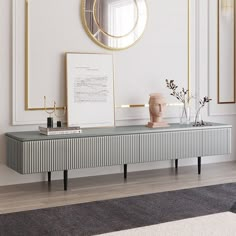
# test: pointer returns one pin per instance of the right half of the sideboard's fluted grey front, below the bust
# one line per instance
(184, 144)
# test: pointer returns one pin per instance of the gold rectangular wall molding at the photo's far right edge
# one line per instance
(218, 55)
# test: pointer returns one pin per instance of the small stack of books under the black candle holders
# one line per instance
(59, 130)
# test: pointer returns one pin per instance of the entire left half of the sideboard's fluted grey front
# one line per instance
(65, 154)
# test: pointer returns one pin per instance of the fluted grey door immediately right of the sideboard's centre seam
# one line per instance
(170, 145)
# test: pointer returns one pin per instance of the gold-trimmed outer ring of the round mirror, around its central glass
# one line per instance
(105, 39)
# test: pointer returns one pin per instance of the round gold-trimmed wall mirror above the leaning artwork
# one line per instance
(114, 24)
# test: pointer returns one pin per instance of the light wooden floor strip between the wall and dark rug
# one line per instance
(40, 195)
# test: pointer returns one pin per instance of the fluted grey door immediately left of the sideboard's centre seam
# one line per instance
(102, 151)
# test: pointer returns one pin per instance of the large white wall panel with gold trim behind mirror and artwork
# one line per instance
(54, 27)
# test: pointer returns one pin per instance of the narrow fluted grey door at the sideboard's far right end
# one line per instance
(216, 141)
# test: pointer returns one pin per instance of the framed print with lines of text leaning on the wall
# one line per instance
(90, 90)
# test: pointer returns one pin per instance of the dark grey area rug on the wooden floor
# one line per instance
(120, 214)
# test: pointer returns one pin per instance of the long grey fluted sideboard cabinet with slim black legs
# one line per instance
(30, 152)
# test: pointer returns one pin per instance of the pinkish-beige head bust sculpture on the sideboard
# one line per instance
(156, 106)
